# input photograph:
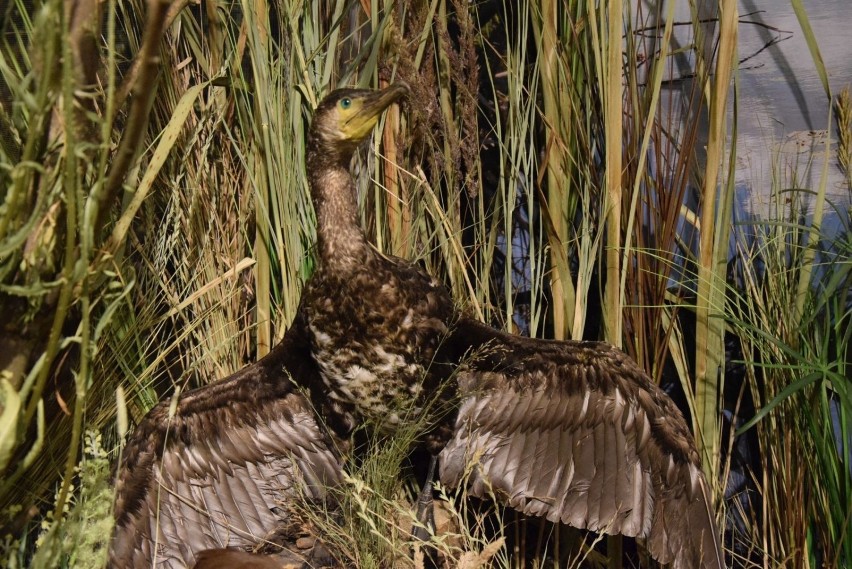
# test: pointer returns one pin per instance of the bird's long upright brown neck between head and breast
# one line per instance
(340, 239)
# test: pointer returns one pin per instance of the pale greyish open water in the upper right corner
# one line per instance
(783, 118)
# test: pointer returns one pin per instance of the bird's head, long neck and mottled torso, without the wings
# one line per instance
(375, 322)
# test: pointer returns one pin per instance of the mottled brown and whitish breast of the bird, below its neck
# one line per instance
(373, 335)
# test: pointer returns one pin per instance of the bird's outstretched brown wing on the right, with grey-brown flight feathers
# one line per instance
(577, 433)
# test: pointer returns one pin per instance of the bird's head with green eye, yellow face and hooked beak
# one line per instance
(346, 117)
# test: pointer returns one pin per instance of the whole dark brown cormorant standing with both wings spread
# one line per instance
(572, 431)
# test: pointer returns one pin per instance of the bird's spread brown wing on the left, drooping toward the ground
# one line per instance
(221, 470)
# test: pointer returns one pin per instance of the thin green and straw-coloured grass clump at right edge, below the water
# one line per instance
(797, 370)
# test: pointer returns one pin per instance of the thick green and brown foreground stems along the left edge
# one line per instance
(60, 284)
